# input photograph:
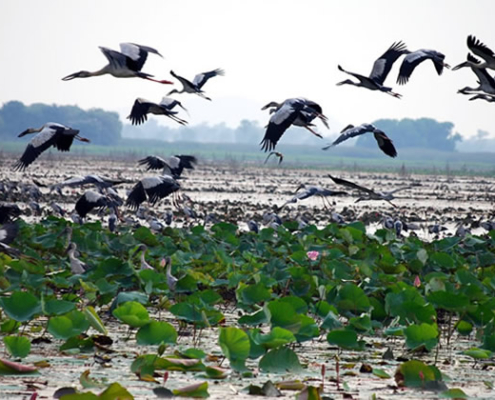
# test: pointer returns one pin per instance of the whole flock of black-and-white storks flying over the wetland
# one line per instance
(298, 111)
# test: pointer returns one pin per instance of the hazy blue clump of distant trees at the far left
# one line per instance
(101, 127)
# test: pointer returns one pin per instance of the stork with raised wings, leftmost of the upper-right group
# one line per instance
(381, 68)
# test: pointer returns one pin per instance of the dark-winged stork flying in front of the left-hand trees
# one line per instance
(50, 134)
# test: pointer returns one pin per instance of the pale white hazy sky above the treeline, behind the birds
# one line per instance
(270, 50)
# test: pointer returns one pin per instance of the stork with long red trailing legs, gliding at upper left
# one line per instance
(124, 64)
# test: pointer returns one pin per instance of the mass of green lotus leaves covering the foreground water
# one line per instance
(289, 285)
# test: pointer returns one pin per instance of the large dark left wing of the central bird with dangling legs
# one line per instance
(279, 123)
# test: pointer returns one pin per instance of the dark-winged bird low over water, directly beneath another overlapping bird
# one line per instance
(154, 188)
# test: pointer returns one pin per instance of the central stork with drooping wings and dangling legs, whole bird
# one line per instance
(296, 111)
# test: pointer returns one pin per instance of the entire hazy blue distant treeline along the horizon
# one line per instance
(105, 128)
